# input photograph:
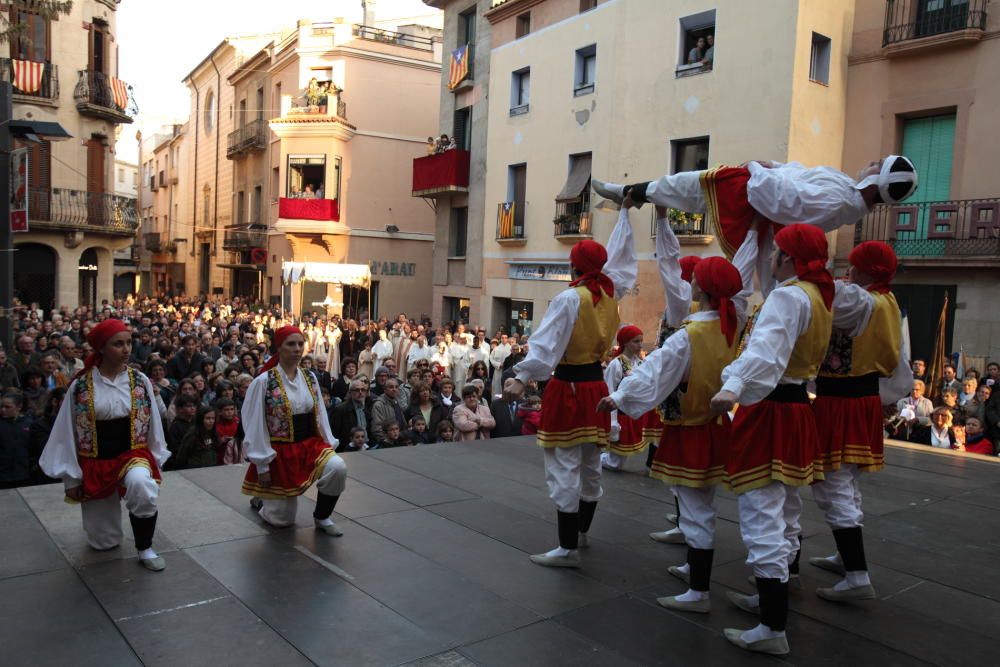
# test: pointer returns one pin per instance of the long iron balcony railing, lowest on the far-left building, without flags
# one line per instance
(87, 211)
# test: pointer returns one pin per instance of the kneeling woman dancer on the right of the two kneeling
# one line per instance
(288, 439)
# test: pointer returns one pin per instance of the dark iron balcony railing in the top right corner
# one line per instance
(913, 19)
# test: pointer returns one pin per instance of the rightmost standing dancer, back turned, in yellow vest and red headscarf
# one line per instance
(864, 360)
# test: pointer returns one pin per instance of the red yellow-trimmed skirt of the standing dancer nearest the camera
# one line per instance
(773, 442)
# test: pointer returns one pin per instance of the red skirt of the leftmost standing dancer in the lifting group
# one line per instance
(570, 416)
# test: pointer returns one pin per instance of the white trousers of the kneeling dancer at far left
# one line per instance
(102, 519)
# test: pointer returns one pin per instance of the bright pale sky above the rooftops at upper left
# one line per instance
(159, 43)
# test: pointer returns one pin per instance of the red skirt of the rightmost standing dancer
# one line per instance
(850, 431)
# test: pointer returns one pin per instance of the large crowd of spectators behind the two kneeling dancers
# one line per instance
(385, 383)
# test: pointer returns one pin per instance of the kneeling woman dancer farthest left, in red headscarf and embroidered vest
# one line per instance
(107, 443)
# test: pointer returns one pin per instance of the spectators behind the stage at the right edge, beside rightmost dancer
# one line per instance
(963, 415)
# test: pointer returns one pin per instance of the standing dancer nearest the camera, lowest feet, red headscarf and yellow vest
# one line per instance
(775, 446)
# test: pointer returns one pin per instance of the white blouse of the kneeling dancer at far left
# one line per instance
(112, 400)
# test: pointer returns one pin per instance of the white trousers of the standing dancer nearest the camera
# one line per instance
(769, 524)
